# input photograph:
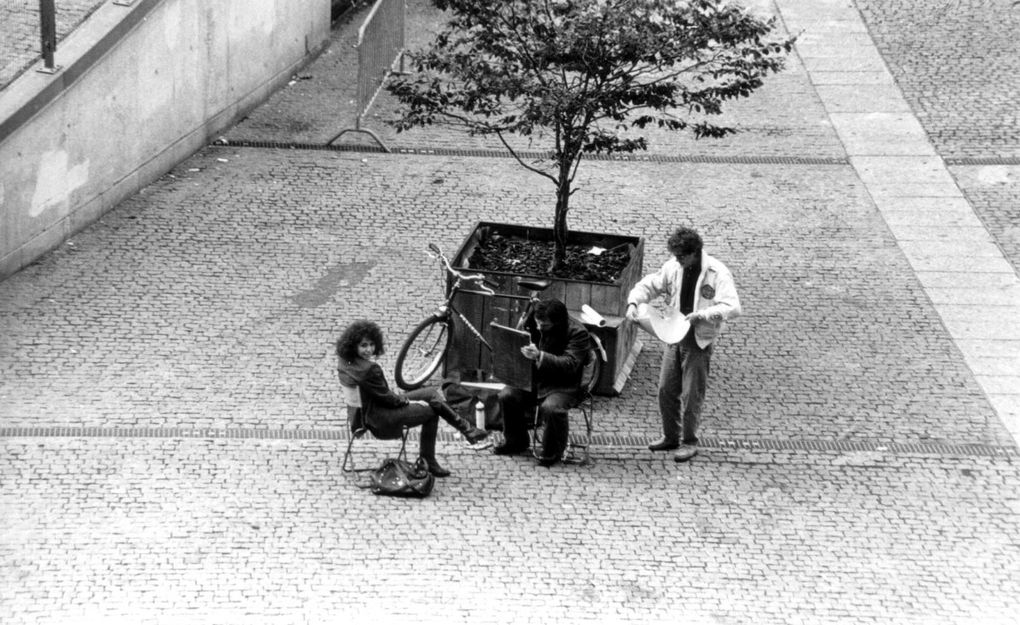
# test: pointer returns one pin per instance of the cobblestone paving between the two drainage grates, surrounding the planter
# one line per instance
(223, 287)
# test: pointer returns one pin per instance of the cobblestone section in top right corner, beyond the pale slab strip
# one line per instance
(958, 65)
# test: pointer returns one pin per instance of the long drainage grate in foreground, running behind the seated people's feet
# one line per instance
(602, 442)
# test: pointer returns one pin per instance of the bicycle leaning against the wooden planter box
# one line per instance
(427, 347)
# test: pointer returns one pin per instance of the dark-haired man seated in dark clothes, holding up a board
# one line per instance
(559, 348)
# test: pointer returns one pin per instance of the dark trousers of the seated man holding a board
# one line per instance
(518, 408)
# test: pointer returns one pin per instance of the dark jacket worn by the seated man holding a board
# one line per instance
(566, 353)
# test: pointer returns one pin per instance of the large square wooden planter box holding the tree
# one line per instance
(473, 360)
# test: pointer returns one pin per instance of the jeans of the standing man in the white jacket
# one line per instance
(683, 382)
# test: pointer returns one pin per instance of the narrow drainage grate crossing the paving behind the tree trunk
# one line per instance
(482, 153)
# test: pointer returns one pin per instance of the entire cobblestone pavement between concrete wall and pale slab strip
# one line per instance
(171, 447)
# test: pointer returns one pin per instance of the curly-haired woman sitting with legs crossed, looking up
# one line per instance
(387, 412)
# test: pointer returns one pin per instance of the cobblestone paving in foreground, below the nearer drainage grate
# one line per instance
(250, 532)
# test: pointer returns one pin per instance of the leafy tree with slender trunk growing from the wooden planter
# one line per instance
(586, 72)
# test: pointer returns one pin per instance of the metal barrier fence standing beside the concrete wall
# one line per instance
(381, 46)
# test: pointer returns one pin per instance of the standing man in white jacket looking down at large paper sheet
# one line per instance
(702, 289)
